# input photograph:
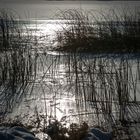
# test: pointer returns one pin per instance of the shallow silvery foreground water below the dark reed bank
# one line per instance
(64, 81)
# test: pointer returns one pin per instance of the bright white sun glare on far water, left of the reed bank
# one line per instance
(46, 31)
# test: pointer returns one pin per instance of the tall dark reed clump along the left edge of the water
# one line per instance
(17, 60)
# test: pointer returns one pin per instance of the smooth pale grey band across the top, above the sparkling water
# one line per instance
(47, 9)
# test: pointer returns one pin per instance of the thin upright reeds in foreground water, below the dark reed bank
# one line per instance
(107, 84)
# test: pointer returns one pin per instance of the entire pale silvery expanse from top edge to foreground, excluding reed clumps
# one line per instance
(64, 81)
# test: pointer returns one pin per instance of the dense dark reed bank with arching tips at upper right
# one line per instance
(105, 33)
